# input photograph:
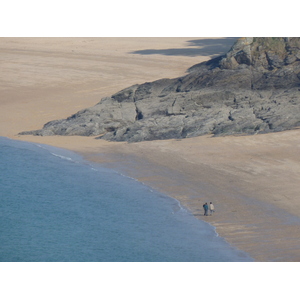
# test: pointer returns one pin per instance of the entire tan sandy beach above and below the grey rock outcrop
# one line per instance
(252, 180)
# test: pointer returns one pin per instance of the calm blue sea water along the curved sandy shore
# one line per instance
(57, 207)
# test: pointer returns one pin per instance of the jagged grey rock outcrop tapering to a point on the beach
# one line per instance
(254, 88)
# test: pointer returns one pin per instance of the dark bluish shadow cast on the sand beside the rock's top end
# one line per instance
(202, 47)
